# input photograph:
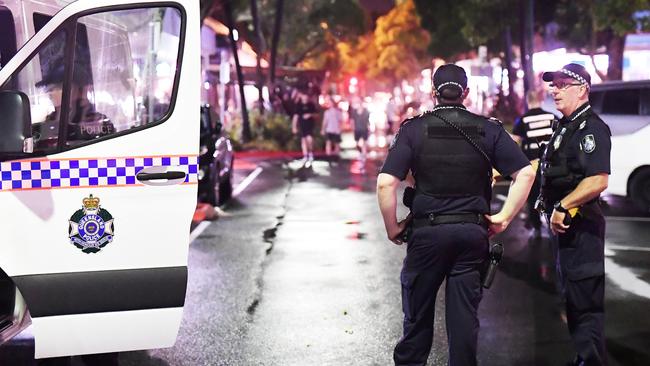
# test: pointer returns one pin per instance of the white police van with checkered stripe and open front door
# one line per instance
(98, 171)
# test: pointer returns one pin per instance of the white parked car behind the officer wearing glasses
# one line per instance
(625, 107)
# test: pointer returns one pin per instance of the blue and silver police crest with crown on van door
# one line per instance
(91, 228)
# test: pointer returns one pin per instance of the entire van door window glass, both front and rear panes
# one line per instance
(122, 76)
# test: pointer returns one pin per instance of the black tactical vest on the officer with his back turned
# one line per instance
(447, 165)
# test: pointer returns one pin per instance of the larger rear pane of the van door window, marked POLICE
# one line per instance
(123, 71)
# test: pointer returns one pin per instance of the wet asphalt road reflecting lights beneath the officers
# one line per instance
(298, 272)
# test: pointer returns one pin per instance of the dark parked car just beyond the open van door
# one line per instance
(215, 161)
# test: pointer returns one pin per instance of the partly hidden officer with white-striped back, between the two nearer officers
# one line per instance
(532, 130)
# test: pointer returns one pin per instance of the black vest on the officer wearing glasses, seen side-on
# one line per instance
(561, 170)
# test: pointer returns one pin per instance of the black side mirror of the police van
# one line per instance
(15, 123)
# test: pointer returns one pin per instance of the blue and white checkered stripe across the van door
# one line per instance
(79, 173)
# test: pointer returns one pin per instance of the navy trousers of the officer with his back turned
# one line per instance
(453, 252)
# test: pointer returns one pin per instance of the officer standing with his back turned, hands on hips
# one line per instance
(451, 221)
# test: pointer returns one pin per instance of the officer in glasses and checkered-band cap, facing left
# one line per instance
(575, 168)
